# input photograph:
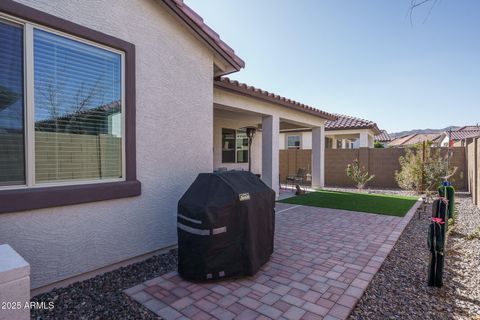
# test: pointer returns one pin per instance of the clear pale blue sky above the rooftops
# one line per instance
(362, 58)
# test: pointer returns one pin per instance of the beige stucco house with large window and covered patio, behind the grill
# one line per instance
(120, 118)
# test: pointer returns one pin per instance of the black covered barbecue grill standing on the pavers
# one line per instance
(226, 223)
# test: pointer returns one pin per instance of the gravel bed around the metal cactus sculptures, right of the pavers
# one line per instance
(399, 290)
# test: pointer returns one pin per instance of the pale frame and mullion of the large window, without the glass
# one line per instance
(29, 104)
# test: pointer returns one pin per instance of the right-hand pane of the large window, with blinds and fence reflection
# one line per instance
(78, 126)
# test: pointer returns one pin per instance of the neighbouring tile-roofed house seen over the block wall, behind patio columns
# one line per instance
(345, 132)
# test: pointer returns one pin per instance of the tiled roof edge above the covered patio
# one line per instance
(235, 86)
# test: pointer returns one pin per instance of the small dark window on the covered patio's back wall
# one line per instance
(234, 146)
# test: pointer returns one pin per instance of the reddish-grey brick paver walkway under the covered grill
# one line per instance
(323, 261)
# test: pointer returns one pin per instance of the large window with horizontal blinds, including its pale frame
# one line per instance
(69, 127)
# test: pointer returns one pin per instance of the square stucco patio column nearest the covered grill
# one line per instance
(270, 151)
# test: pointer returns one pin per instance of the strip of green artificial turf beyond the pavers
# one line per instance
(364, 202)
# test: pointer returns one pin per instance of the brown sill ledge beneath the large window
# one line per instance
(47, 197)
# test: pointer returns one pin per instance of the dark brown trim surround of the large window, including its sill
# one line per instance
(44, 197)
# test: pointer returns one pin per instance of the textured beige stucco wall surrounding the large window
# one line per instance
(174, 143)
